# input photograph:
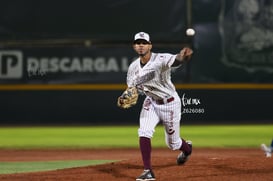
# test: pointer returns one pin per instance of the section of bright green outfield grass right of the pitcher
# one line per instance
(230, 136)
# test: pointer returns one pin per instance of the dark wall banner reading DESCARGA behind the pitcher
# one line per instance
(67, 65)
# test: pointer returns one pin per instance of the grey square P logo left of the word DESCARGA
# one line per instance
(11, 64)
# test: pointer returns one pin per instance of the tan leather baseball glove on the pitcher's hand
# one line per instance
(128, 98)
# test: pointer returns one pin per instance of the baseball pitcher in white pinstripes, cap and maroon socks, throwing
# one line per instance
(150, 75)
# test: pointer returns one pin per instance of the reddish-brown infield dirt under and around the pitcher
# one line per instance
(207, 164)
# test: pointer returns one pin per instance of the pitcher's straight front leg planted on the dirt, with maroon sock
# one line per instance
(148, 121)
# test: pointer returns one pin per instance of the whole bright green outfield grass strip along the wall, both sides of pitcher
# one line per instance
(126, 136)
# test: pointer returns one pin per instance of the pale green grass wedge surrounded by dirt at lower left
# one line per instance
(20, 167)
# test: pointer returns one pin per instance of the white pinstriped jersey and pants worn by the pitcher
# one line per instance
(162, 102)
